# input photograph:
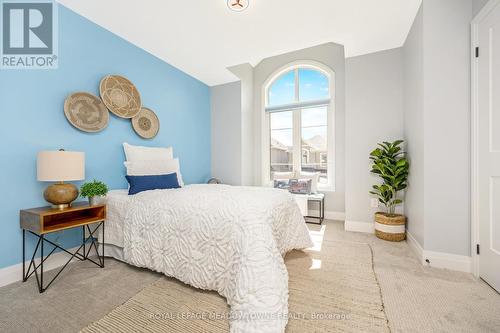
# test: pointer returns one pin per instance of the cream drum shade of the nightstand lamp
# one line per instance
(58, 166)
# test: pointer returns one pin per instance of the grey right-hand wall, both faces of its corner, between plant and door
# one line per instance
(437, 121)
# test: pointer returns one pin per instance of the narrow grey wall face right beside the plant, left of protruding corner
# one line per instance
(413, 105)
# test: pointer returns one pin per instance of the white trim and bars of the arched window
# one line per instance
(265, 138)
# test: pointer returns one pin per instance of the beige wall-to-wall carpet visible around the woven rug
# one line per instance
(417, 299)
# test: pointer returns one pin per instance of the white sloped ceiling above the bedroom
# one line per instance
(204, 37)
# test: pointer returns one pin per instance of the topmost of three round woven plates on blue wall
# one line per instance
(120, 96)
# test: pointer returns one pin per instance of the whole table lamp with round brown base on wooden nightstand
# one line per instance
(60, 166)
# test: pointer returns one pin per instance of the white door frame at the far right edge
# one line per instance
(483, 13)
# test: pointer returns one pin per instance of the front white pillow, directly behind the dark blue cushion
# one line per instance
(151, 168)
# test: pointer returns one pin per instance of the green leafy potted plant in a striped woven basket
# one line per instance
(390, 164)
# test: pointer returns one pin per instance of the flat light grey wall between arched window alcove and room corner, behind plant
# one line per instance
(374, 113)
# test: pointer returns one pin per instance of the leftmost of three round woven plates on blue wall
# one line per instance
(86, 112)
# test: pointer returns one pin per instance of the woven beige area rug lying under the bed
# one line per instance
(333, 288)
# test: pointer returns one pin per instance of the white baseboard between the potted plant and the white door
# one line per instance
(449, 261)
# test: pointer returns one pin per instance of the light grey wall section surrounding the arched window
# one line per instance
(331, 55)
